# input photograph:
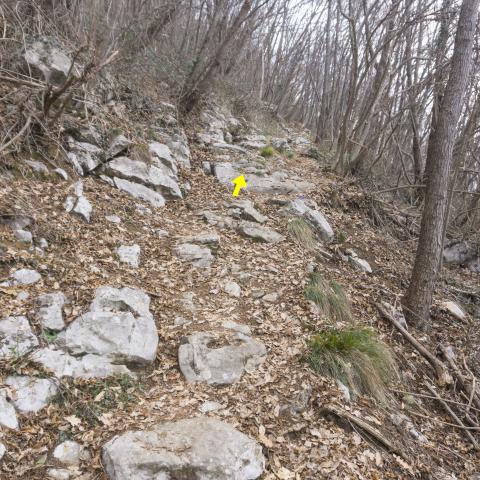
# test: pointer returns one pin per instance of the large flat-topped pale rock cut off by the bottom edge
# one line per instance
(197, 448)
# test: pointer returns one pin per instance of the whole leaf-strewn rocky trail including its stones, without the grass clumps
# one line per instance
(153, 326)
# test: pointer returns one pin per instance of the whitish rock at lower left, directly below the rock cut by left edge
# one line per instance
(31, 394)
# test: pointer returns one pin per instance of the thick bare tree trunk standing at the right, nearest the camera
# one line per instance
(418, 298)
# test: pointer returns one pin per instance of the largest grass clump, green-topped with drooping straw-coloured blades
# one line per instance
(356, 357)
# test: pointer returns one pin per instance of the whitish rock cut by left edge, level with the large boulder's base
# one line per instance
(16, 337)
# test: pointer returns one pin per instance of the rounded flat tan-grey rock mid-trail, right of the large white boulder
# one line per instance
(219, 359)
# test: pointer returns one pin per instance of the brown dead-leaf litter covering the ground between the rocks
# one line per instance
(280, 403)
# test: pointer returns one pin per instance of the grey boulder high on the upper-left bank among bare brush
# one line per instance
(45, 58)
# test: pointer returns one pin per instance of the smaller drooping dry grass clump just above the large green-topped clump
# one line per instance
(329, 297)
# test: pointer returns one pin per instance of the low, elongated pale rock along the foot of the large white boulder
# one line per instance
(62, 364)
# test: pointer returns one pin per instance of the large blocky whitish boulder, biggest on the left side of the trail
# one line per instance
(118, 326)
